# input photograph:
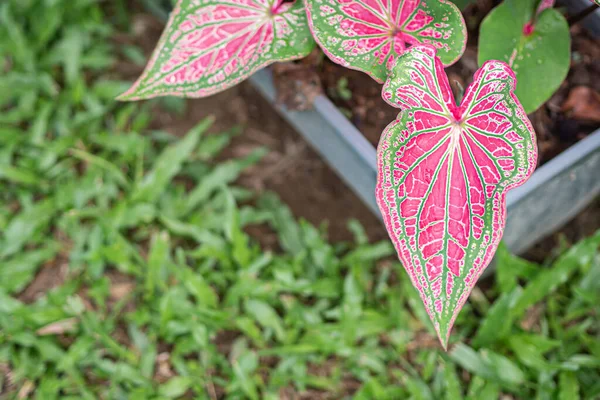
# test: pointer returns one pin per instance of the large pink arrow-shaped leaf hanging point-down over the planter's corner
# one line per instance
(443, 174)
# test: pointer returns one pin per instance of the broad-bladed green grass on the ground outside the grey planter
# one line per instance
(126, 271)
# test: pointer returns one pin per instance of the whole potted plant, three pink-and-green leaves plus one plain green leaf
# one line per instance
(530, 36)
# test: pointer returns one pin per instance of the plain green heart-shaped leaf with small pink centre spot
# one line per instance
(535, 43)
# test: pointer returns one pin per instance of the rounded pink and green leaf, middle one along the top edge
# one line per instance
(368, 35)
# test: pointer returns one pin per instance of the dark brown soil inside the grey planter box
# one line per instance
(559, 123)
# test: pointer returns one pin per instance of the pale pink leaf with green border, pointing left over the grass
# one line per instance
(211, 45)
